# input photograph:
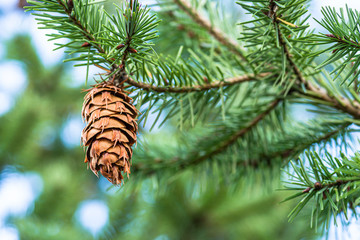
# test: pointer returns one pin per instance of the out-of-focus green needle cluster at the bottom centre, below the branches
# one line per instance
(205, 208)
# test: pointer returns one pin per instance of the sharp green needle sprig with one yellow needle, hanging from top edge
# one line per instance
(274, 25)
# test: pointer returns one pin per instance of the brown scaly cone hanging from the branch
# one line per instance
(110, 132)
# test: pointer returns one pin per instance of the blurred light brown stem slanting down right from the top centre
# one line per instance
(215, 32)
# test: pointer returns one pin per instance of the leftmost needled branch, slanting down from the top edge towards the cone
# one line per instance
(71, 21)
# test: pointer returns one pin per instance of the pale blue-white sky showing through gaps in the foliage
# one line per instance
(18, 191)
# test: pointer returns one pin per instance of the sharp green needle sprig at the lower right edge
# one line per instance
(331, 182)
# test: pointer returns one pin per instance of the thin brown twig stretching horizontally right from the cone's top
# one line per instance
(196, 88)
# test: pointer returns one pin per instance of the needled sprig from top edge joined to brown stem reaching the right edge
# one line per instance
(267, 13)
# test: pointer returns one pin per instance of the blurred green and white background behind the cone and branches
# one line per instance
(47, 193)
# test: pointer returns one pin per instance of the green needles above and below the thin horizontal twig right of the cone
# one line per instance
(196, 71)
